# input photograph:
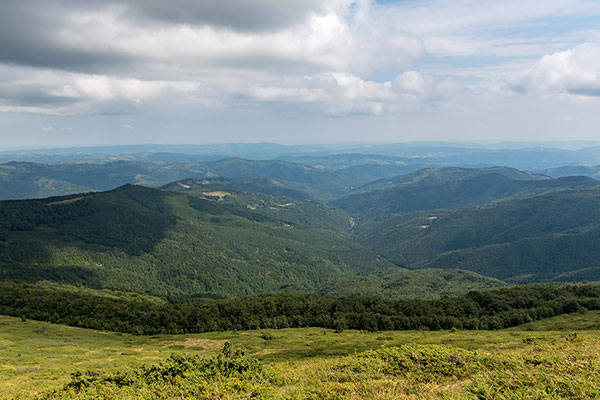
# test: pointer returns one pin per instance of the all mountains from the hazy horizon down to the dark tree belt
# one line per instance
(185, 225)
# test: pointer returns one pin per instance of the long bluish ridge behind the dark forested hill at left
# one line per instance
(23, 180)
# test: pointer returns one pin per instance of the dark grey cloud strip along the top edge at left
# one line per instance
(246, 15)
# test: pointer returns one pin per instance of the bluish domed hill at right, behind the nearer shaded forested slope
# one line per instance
(451, 188)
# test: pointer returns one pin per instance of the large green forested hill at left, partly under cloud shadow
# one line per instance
(171, 244)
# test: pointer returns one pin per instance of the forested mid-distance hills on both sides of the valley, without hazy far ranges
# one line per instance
(211, 238)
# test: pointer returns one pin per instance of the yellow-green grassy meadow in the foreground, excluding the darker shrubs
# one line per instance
(37, 357)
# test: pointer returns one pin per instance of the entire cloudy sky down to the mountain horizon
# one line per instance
(93, 72)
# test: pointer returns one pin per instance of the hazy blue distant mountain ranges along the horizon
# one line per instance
(333, 170)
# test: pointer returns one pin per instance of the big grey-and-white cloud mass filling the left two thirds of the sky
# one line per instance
(111, 57)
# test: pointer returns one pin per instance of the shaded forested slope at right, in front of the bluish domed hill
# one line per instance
(553, 236)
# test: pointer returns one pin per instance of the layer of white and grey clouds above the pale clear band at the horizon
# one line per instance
(68, 57)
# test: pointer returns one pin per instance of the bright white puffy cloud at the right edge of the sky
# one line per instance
(574, 72)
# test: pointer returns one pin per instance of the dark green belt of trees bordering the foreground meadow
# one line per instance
(139, 314)
